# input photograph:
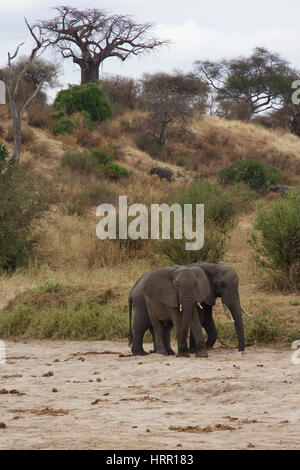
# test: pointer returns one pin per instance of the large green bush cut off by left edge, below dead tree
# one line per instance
(21, 203)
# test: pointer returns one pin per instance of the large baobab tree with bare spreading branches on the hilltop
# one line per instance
(90, 36)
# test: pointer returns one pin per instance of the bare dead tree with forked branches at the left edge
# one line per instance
(13, 85)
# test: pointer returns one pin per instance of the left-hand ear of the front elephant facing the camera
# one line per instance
(159, 286)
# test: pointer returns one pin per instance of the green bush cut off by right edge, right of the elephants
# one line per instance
(276, 241)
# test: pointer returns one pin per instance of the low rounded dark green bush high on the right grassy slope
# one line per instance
(254, 174)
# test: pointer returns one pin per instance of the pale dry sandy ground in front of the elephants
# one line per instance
(83, 395)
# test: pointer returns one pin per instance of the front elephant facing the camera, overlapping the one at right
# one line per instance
(165, 297)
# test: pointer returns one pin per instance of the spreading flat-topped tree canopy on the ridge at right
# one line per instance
(262, 81)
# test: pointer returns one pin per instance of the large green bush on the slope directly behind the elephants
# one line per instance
(221, 206)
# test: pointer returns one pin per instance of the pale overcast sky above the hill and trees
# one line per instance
(199, 29)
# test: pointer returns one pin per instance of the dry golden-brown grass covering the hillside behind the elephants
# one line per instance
(70, 255)
